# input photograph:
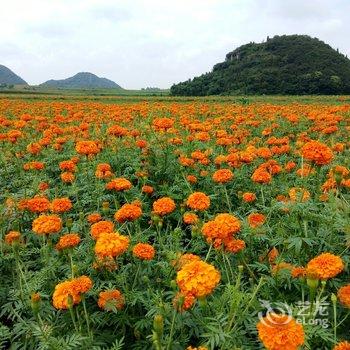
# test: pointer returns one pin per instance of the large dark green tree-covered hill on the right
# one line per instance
(288, 64)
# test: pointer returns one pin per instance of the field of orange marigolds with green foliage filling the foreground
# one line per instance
(174, 224)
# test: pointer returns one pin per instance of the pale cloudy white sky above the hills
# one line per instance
(152, 43)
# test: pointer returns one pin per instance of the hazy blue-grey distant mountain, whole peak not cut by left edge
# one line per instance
(83, 80)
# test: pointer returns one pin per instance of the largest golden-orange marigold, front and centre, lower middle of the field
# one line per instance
(198, 278)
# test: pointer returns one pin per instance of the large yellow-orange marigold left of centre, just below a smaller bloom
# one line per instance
(111, 244)
